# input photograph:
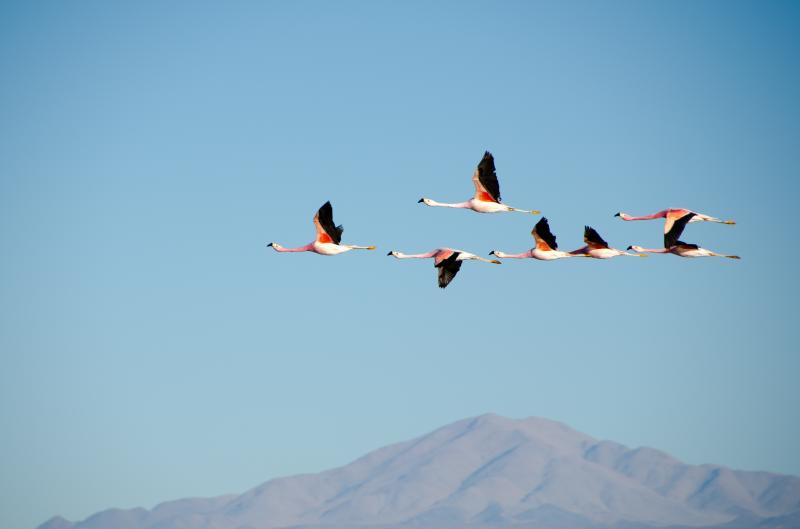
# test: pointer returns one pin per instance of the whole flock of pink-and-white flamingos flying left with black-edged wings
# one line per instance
(448, 261)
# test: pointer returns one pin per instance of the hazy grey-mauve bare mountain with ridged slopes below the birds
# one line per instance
(491, 472)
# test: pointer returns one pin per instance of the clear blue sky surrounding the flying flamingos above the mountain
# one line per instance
(153, 348)
